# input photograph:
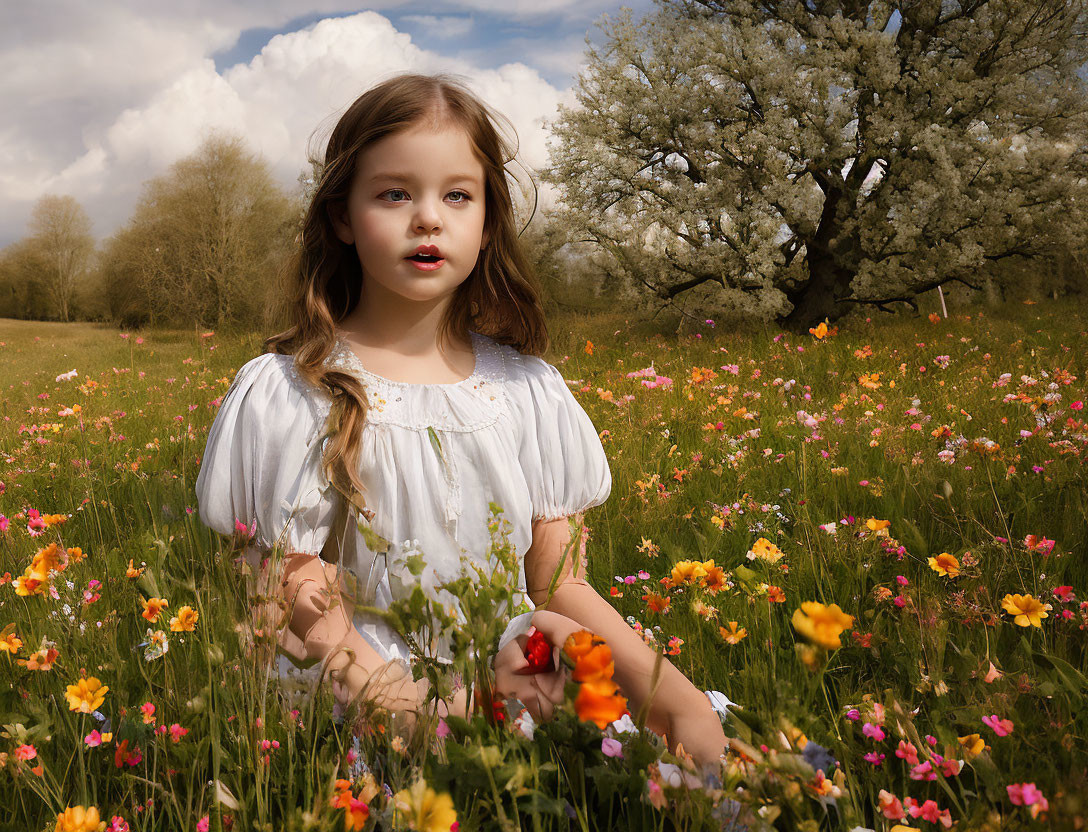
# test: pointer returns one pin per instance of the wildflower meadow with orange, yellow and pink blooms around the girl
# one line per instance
(873, 540)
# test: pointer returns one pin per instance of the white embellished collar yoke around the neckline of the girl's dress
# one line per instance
(468, 405)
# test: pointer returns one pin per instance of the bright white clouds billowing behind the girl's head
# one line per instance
(156, 96)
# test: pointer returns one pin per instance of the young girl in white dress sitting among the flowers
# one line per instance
(411, 375)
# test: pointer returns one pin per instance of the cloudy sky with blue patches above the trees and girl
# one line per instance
(100, 97)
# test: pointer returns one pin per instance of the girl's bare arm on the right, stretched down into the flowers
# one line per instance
(678, 710)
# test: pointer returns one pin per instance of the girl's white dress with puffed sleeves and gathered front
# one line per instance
(512, 433)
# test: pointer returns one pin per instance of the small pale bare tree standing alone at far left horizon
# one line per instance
(60, 231)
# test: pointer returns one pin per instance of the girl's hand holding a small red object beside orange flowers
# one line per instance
(539, 692)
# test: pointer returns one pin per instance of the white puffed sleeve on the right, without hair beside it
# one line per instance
(561, 453)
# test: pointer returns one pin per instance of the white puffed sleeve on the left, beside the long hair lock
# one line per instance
(262, 464)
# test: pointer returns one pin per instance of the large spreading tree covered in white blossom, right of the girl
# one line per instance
(803, 158)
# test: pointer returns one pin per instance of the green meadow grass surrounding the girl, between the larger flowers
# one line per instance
(126, 481)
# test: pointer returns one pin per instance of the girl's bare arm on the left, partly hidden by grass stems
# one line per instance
(320, 629)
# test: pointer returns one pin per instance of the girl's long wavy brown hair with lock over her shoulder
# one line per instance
(324, 279)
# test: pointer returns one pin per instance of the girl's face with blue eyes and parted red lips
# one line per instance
(417, 188)
